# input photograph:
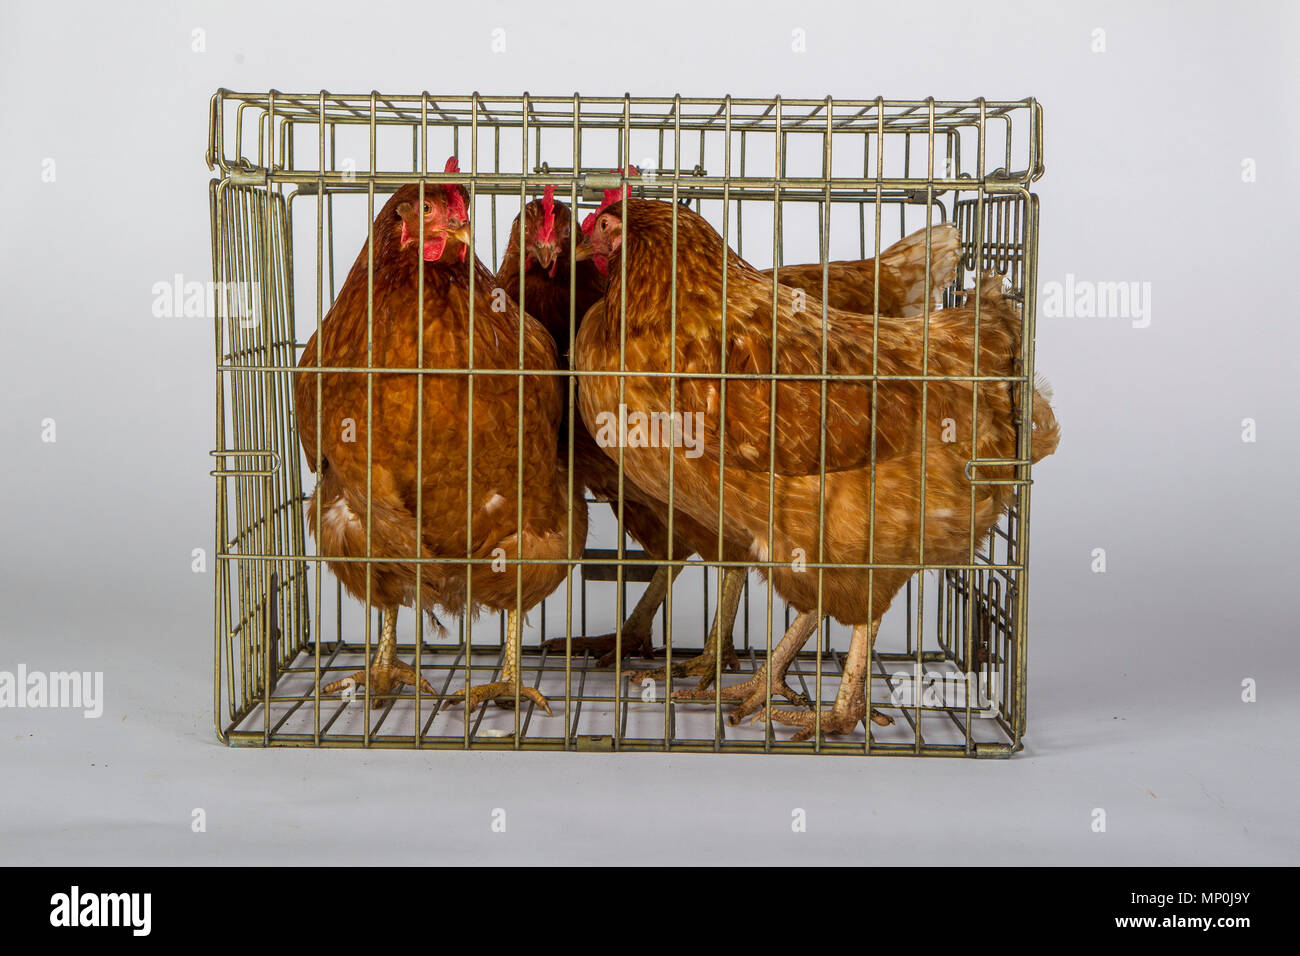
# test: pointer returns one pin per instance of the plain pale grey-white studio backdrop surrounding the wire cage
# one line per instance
(1136, 674)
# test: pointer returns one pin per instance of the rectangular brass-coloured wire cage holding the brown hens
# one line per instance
(298, 180)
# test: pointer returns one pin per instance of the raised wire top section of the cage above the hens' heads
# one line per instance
(675, 115)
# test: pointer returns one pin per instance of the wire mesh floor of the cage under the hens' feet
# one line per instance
(599, 717)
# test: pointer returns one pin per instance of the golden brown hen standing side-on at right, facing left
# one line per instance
(894, 462)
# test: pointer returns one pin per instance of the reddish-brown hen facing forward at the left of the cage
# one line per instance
(421, 492)
